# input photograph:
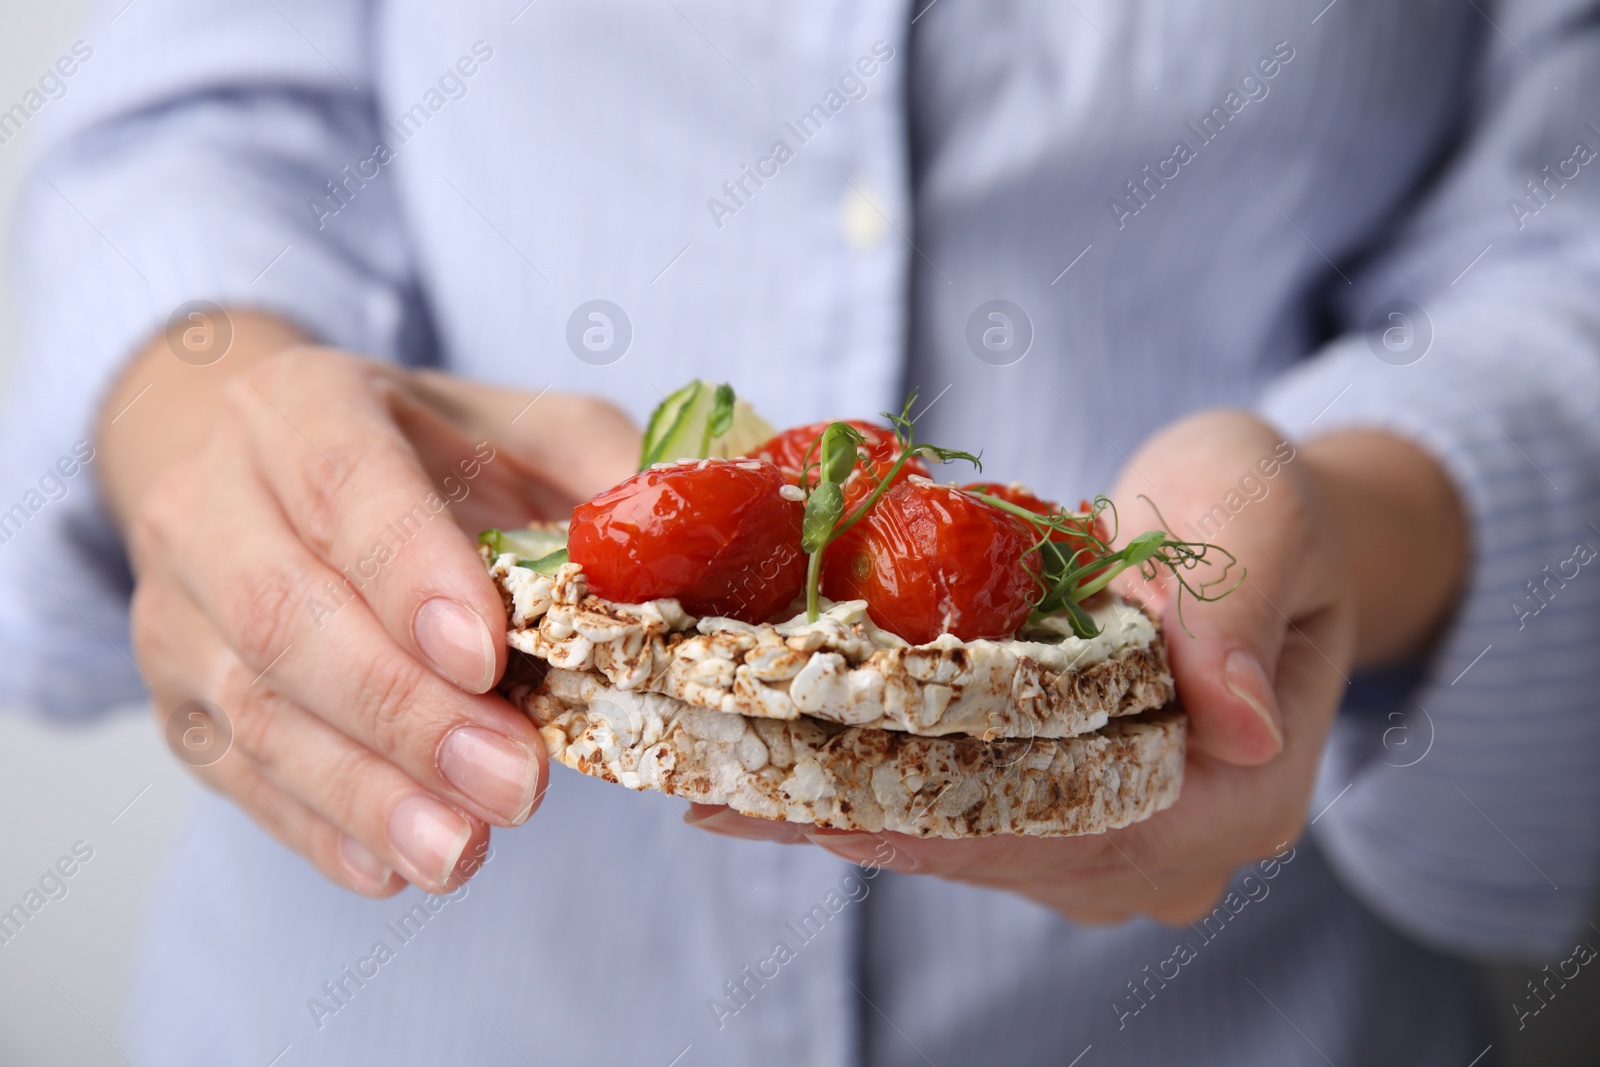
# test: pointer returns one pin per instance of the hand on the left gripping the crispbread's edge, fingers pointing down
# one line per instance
(367, 735)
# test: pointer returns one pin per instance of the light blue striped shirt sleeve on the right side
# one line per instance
(1473, 809)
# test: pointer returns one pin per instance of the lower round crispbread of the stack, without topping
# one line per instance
(854, 778)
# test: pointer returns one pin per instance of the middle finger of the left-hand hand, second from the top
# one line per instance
(262, 596)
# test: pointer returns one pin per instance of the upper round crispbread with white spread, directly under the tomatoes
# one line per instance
(978, 689)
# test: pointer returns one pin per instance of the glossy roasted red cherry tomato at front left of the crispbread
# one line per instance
(719, 535)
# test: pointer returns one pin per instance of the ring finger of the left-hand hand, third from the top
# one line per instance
(385, 818)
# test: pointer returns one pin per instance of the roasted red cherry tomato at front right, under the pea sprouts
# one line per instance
(930, 561)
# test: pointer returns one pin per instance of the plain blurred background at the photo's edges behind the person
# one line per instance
(114, 788)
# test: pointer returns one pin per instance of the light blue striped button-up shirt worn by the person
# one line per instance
(1345, 215)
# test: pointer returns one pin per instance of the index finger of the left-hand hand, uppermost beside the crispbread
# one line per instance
(326, 442)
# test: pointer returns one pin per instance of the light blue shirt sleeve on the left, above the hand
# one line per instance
(180, 166)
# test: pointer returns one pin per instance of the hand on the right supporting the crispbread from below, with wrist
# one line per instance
(1356, 557)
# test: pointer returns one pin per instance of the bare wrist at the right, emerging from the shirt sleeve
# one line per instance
(1406, 537)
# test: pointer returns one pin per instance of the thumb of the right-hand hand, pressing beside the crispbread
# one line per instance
(1278, 637)
